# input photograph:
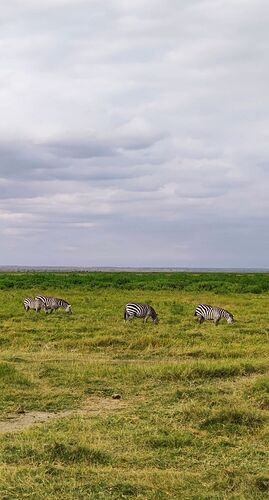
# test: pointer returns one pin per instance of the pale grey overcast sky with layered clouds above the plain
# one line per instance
(134, 133)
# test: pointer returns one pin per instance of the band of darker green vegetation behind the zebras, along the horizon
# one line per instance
(189, 282)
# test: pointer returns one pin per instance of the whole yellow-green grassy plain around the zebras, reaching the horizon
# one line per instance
(192, 418)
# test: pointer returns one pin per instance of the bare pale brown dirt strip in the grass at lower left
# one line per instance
(91, 407)
